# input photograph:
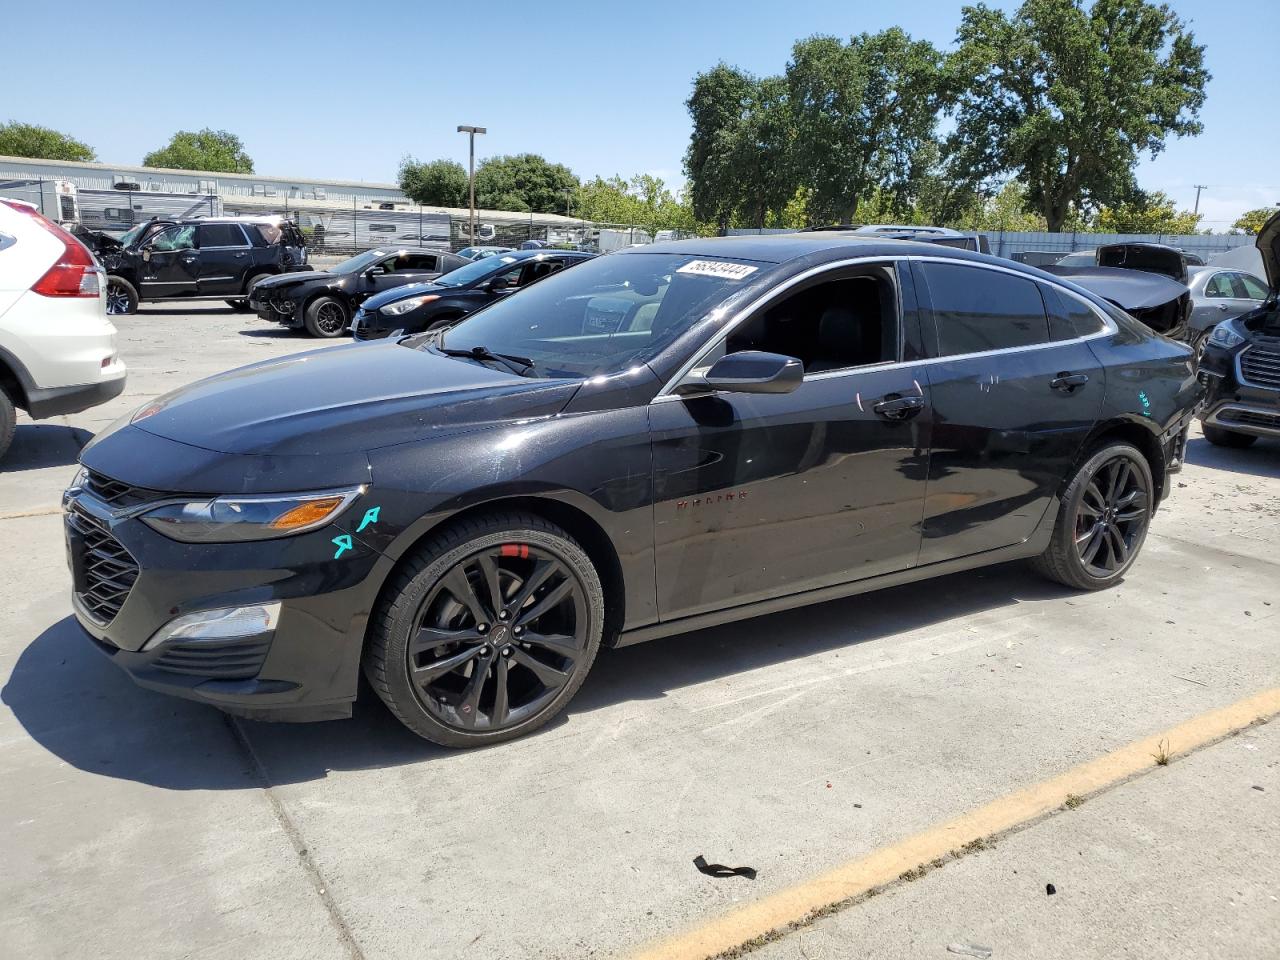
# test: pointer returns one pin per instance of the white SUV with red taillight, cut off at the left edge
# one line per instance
(57, 346)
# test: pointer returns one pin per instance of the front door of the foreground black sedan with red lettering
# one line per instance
(760, 496)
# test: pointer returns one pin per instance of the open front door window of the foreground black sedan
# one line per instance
(833, 326)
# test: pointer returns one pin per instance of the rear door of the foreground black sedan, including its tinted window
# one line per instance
(1012, 406)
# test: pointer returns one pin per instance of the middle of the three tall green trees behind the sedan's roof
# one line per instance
(866, 115)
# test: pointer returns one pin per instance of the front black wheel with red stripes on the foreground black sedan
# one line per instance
(444, 597)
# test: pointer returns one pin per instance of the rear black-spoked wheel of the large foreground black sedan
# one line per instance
(1098, 505)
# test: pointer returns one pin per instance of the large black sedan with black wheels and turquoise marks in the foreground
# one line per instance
(655, 442)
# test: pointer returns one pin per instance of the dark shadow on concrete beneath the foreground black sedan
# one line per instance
(80, 707)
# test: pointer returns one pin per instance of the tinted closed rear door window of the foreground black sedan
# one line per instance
(979, 310)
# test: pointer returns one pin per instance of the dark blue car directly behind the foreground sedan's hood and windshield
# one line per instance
(428, 307)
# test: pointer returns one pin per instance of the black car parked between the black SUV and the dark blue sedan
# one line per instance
(323, 303)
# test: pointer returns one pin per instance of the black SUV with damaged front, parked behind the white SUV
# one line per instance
(196, 259)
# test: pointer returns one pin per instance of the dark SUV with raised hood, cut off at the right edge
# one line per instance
(1241, 364)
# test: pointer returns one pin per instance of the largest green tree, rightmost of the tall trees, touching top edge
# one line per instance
(1066, 98)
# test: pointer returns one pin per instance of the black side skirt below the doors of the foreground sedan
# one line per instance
(1032, 547)
